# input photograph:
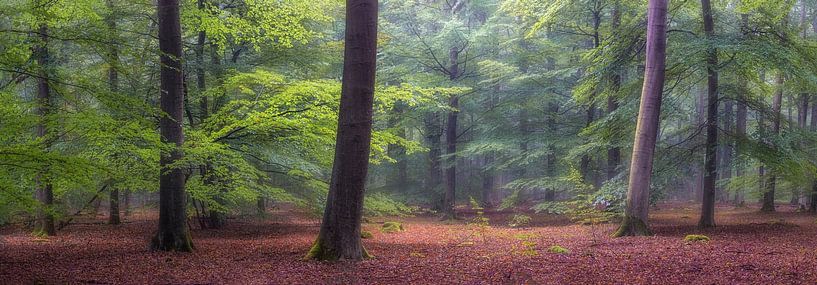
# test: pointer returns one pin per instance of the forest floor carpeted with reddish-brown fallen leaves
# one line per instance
(746, 248)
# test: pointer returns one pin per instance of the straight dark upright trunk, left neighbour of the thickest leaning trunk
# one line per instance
(173, 233)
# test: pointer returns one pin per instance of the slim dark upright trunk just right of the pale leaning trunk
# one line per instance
(711, 160)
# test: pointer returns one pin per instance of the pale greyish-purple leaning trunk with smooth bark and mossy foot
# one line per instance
(638, 192)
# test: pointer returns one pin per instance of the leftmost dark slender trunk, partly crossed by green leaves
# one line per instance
(44, 192)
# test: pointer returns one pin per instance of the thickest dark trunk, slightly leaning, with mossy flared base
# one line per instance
(339, 238)
